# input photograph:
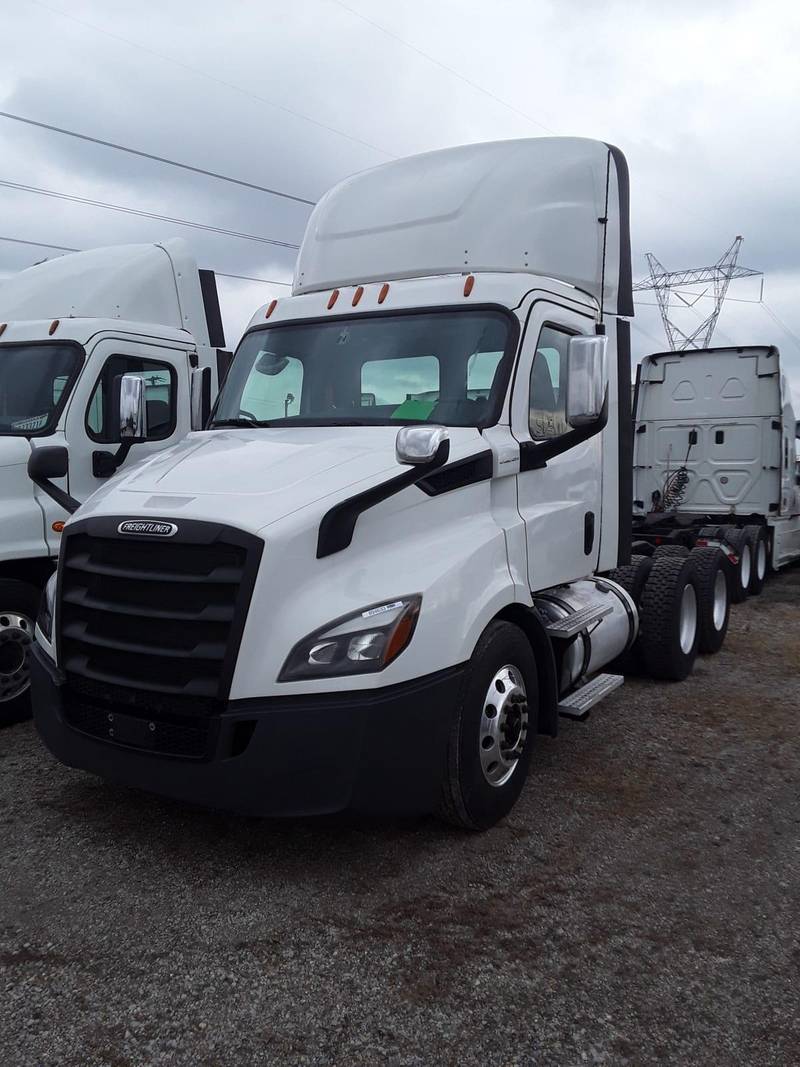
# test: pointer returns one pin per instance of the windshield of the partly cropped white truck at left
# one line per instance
(35, 384)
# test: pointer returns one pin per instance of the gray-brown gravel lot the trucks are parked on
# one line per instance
(642, 906)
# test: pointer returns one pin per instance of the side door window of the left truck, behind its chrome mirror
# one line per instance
(159, 391)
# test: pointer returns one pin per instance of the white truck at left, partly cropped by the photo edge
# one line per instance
(70, 330)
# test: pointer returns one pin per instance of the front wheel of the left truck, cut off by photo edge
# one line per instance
(19, 609)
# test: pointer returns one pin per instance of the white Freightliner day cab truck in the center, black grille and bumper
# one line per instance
(391, 561)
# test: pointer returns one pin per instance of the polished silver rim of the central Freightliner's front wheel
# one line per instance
(504, 727)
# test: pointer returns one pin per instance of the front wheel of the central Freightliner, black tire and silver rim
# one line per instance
(493, 730)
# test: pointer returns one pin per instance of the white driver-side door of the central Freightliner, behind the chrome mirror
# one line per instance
(561, 503)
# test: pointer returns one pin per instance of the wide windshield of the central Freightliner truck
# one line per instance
(447, 368)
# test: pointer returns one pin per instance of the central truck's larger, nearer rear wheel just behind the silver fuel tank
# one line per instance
(668, 635)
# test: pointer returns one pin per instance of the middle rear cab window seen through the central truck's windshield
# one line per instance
(408, 387)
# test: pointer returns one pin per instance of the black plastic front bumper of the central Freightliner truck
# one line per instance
(381, 752)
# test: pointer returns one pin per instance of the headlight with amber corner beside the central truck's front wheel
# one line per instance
(359, 644)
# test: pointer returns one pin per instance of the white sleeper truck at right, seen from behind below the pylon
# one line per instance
(715, 459)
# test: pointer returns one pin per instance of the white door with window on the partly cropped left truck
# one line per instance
(90, 421)
